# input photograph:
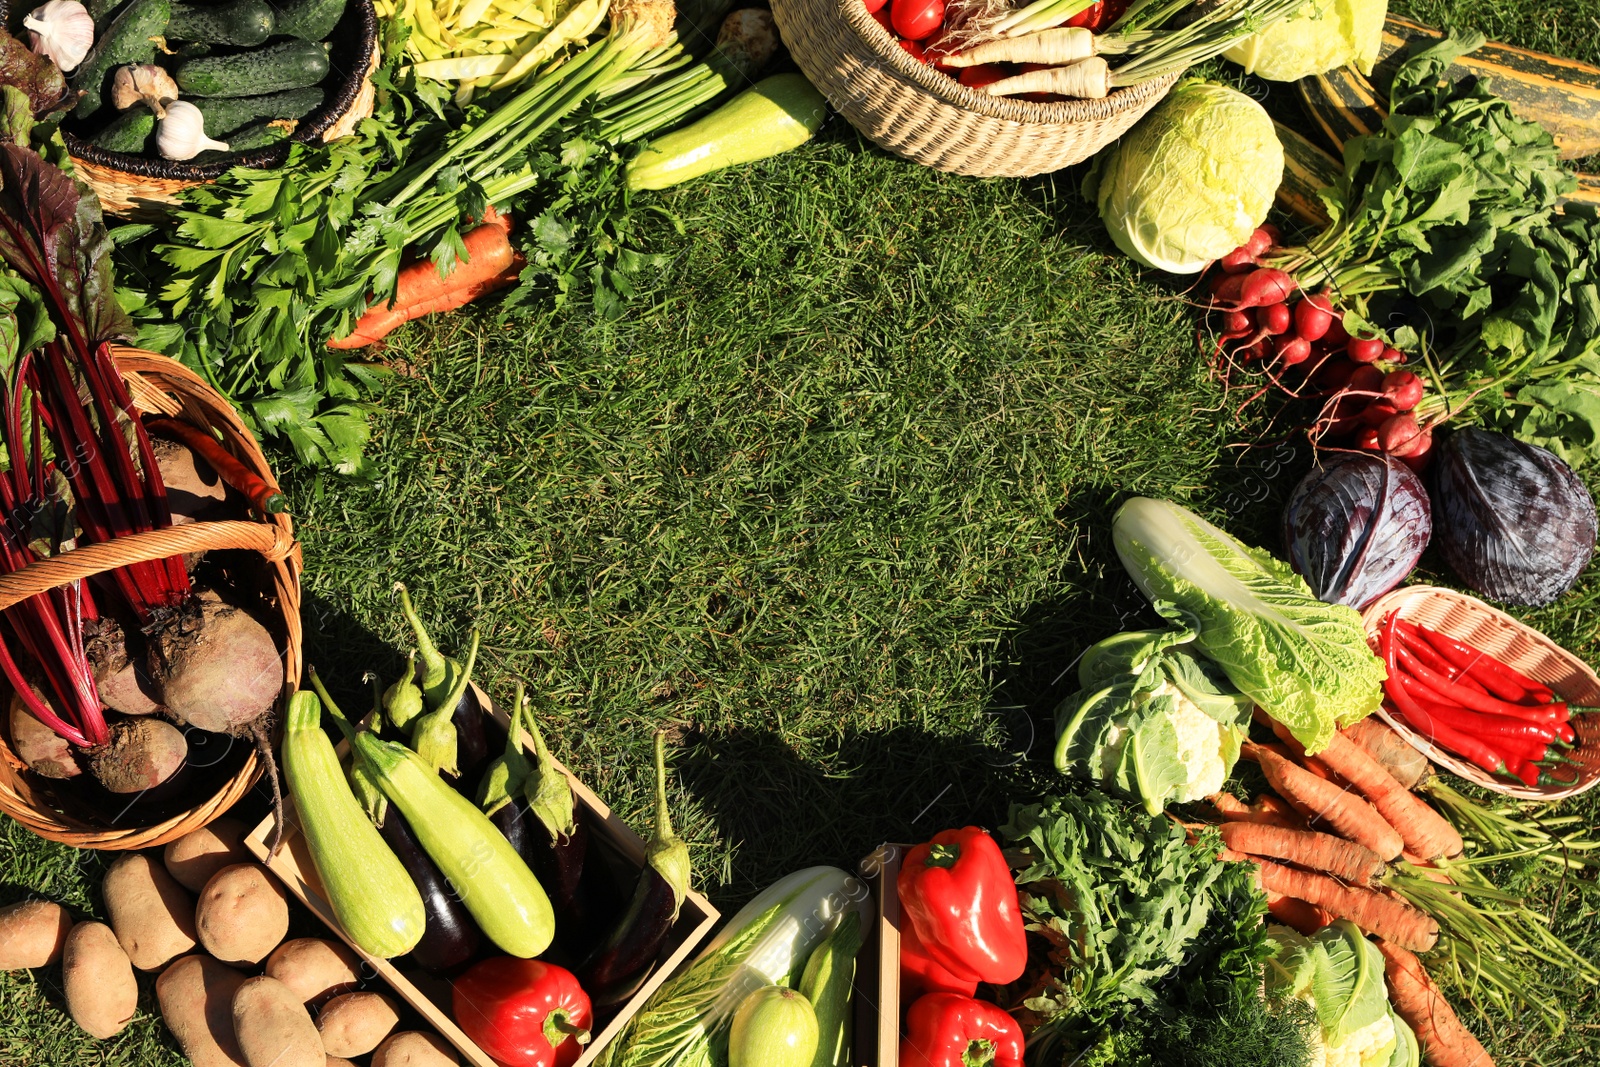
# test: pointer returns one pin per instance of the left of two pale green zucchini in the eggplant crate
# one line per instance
(369, 890)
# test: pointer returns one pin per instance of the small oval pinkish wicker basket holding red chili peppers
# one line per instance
(1474, 623)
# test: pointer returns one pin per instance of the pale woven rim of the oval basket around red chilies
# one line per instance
(1409, 597)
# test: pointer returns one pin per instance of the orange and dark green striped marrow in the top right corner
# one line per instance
(1561, 95)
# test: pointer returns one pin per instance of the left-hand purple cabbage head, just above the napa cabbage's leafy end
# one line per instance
(1356, 527)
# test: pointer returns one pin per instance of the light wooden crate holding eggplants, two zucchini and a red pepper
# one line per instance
(430, 996)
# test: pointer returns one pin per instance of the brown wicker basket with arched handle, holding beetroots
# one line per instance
(161, 386)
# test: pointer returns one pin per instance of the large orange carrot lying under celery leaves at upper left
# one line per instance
(422, 290)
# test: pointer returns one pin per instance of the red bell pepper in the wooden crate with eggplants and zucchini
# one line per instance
(524, 1013)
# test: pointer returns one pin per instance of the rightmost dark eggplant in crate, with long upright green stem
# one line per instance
(623, 961)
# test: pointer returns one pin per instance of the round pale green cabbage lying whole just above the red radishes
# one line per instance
(1191, 182)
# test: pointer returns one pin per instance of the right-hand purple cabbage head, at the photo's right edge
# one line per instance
(1514, 522)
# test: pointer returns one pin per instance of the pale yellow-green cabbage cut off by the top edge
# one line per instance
(1324, 36)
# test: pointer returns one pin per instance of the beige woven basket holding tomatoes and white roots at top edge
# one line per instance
(932, 119)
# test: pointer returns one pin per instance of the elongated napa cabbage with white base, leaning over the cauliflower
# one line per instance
(1303, 661)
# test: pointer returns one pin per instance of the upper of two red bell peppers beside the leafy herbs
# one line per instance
(959, 895)
